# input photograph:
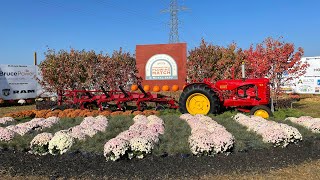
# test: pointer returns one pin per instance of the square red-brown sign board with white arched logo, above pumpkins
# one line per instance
(162, 65)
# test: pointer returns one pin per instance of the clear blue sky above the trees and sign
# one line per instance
(27, 26)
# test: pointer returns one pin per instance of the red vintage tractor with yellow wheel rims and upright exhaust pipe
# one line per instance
(246, 95)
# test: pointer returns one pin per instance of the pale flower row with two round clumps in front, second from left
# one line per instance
(62, 140)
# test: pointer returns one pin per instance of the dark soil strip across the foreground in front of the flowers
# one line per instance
(87, 165)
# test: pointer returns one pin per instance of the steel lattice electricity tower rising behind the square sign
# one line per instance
(174, 21)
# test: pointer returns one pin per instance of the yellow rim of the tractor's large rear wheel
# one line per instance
(198, 103)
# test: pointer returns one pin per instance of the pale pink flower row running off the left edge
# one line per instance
(8, 133)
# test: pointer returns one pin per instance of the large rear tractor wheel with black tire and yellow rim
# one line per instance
(198, 99)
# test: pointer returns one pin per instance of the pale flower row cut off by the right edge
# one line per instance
(313, 124)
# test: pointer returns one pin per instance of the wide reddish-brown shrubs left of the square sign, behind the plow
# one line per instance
(86, 69)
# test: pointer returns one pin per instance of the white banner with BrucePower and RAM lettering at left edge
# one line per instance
(18, 82)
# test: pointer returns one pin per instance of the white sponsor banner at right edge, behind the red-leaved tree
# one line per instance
(309, 83)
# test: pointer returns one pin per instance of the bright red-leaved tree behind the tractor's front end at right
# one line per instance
(272, 58)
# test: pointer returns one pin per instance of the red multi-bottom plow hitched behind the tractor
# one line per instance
(118, 99)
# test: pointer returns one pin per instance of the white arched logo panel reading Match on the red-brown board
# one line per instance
(161, 67)
